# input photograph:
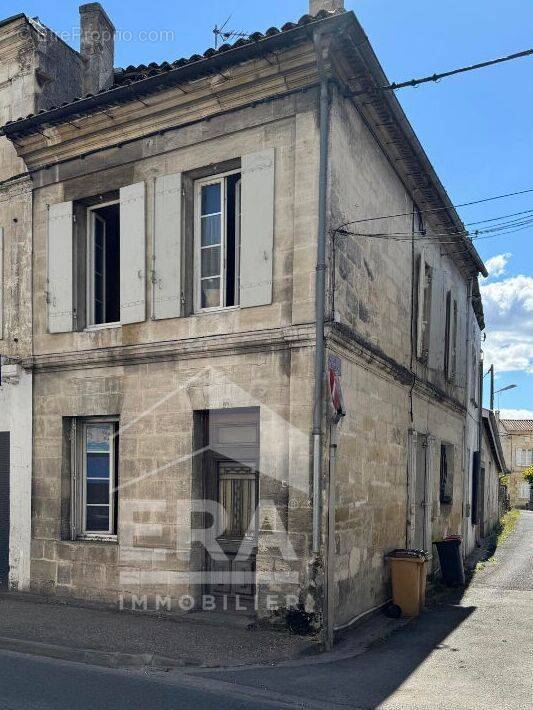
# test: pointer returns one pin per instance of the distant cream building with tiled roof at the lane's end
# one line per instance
(517, 437)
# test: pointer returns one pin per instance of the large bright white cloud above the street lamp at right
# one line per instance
(508, 308)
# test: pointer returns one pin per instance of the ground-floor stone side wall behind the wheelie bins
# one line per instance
(372, 483)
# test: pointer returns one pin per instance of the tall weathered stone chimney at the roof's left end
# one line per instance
(97, 48)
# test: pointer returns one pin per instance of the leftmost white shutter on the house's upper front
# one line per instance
(60, 295)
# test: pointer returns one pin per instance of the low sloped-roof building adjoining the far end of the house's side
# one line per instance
(493, 467)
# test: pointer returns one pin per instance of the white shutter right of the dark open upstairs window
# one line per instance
(132, 254)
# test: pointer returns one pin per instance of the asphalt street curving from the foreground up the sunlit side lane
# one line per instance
(470, 655)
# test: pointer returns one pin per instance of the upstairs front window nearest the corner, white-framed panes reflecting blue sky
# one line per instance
(217, 237)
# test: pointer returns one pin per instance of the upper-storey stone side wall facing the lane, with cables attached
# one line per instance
(370, 287)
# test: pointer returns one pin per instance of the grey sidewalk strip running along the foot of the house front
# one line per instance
(35, 625)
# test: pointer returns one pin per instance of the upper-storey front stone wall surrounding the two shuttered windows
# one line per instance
(289, 126)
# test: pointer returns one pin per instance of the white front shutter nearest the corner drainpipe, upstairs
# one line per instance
(257, 229)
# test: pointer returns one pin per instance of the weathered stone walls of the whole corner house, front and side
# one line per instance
(158, 376)
